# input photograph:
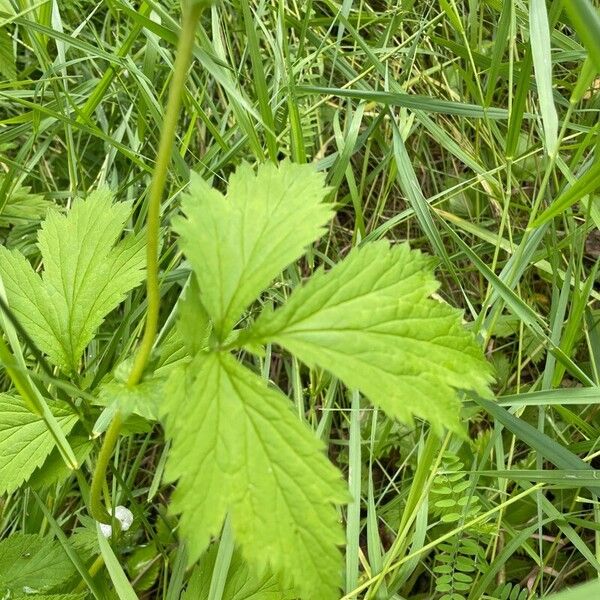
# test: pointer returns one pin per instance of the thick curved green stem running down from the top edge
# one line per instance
(192, 13)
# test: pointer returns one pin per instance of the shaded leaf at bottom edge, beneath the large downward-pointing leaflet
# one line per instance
(242, 583)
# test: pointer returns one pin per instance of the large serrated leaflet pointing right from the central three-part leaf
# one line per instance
(371, 322)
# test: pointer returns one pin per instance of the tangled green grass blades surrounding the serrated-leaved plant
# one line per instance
(455, 125)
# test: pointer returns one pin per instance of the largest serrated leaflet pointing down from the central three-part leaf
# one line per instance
(239, 449)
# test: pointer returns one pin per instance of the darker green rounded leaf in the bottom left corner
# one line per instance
(32, 562)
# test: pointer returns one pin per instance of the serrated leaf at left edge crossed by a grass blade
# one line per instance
(25, 441)
